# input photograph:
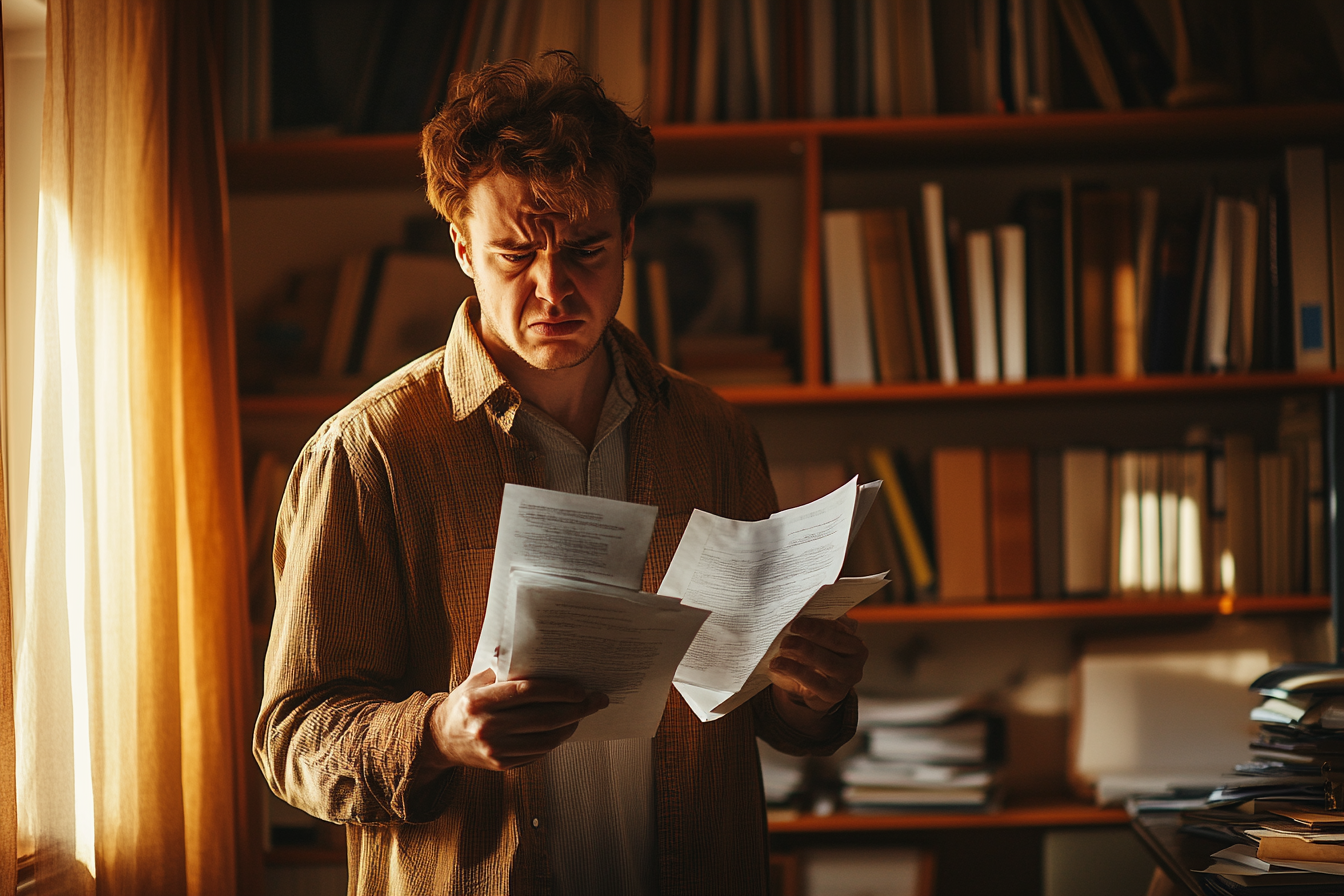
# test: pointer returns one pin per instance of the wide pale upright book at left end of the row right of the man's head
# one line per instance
(847, 298)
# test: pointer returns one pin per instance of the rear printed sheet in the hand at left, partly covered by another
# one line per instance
(573, 535)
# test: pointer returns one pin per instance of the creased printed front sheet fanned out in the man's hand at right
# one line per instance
(755, 578)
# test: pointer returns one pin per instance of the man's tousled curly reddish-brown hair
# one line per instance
(549, 124)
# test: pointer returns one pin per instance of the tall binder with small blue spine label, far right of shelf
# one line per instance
(1306, 178)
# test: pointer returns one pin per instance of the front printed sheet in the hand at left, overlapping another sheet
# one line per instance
(624, 644)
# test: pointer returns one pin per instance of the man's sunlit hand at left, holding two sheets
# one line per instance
(506, 725)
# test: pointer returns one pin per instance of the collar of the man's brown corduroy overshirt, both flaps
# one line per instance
(474, 379)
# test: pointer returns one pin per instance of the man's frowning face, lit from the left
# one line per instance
(548, 285)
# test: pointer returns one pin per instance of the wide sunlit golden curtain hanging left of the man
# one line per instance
(132, 676)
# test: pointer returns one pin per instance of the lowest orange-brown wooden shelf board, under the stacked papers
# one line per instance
(1029, 815)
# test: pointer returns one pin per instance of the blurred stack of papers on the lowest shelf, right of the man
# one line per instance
(923, 754)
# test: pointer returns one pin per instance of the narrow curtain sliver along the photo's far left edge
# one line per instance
(9, 808)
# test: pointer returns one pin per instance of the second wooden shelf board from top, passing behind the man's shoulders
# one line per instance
(326, 405)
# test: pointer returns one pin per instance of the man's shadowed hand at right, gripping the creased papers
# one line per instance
(821, 660)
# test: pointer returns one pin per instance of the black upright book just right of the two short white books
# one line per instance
(1041, 213)
